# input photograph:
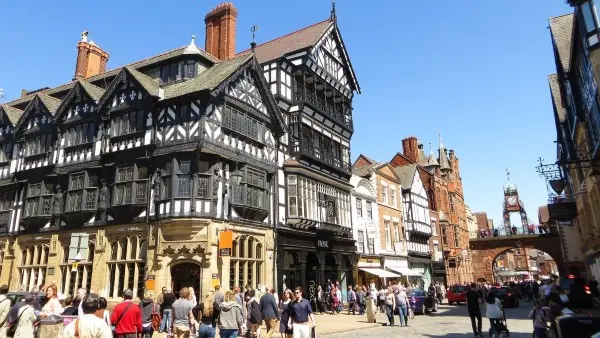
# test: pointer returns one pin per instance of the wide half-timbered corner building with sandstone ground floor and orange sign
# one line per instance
(159, 173)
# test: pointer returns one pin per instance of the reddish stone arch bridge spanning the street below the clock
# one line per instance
(485, 250)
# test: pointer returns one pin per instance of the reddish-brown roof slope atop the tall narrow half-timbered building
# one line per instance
(298, 40)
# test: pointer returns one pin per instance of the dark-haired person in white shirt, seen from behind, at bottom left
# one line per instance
(88, 324)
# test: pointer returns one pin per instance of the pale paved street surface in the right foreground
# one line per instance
(449, 322)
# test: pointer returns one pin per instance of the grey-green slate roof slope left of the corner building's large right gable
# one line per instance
(209, 79)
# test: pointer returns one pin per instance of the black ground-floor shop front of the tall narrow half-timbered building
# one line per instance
(312, 258)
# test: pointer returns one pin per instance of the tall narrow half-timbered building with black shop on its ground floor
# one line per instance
(310, 74)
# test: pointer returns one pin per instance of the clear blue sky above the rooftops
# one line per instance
(476, 71)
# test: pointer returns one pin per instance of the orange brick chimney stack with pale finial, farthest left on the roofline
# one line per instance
(91, 59)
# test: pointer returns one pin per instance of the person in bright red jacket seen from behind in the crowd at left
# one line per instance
(126, 318)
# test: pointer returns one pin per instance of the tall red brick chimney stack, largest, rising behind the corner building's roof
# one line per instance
(220, 31)
